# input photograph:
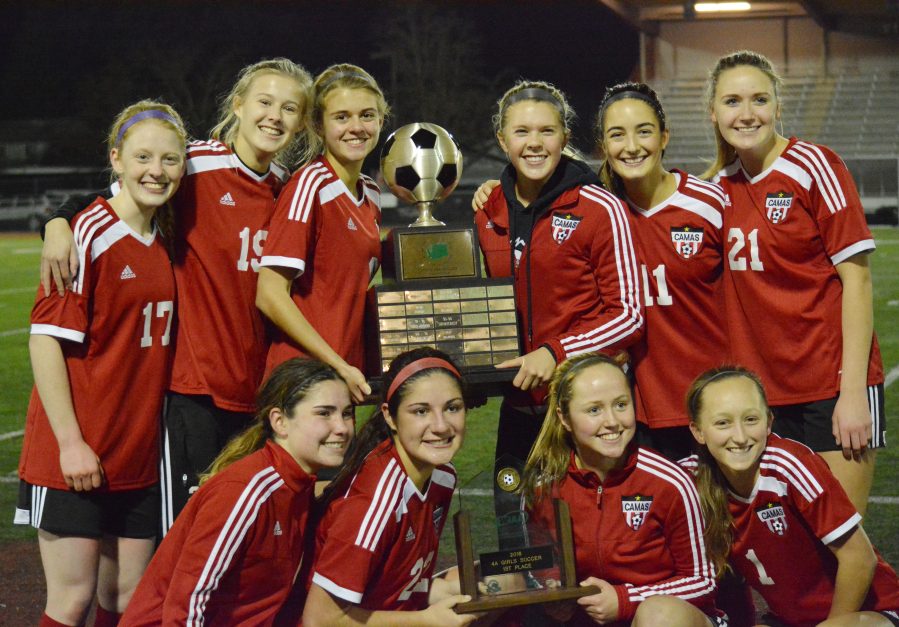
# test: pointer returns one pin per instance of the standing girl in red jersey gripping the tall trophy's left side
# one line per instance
(324, 245)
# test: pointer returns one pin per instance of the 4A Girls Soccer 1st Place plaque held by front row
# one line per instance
(504, 558)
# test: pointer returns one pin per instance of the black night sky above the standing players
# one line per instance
(85, 60)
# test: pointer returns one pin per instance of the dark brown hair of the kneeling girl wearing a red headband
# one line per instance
(376, 430)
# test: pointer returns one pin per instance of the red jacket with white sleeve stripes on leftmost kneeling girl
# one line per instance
(231, 557)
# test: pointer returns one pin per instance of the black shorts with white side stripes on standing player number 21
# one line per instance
(812, 423)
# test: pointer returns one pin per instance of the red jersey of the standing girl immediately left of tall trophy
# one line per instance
(333, 243)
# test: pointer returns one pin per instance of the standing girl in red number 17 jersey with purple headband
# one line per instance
(100, 352)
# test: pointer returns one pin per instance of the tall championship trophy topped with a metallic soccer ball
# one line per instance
(433, 292)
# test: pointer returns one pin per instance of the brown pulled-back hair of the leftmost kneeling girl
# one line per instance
(286, 386)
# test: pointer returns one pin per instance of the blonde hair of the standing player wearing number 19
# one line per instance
(301, 148)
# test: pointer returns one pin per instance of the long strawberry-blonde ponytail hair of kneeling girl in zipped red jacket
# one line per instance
(550, 456)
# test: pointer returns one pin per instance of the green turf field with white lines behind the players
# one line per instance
(20, 255)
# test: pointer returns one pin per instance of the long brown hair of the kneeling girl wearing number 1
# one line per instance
(710, 481)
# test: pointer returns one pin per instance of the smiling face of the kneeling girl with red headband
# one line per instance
(429, 426)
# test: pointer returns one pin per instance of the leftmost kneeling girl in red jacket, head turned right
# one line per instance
(232, 555)
